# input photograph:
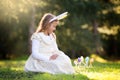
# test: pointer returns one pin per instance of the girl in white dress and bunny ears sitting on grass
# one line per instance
(46, 57)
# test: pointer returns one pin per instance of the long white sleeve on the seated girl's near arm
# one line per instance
(35, 51)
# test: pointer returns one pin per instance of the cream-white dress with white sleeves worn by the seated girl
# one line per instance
(42, 48)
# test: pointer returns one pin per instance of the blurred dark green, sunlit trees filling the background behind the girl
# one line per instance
(92, 27)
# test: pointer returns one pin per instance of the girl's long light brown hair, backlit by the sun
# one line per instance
(43, 25)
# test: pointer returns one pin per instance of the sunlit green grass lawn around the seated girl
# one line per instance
(101, 70)
